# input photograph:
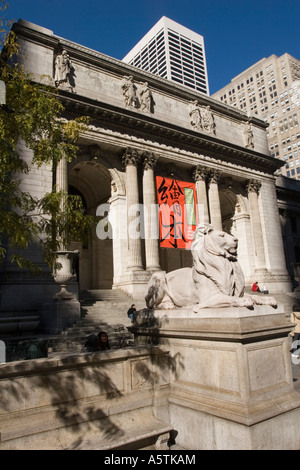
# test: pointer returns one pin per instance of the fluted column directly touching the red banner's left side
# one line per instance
(150, 214)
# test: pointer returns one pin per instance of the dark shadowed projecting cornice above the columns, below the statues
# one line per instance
(123, 120)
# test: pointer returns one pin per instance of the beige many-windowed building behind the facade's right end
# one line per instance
(271, 89)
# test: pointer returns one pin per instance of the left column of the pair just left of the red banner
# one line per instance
(131, 159)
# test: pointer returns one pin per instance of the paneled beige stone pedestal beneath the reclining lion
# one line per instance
(231, 383)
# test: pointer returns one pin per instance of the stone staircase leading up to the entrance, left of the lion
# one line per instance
(101, 309)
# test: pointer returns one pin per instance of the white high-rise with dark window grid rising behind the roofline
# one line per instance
(174, 52)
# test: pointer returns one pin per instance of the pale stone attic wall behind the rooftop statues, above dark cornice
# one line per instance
(99, 77)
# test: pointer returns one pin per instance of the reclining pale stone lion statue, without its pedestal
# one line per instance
(215, 280)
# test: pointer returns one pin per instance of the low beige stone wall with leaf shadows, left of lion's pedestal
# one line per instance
(95, 401)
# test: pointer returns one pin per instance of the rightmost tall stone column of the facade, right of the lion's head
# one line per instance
(253, 188)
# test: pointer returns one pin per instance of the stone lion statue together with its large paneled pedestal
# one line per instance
(230, 365)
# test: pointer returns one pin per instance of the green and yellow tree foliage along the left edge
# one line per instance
(32, 114)
